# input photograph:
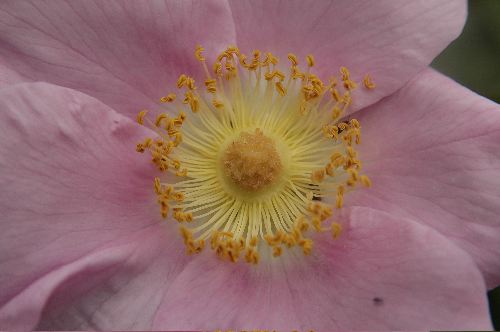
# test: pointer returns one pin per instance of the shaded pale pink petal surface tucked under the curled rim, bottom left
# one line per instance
(124, 296)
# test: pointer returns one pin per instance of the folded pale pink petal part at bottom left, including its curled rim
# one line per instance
(118, 286)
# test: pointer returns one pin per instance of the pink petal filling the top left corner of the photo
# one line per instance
(126, 54)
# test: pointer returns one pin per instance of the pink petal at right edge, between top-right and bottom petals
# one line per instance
(432, 151)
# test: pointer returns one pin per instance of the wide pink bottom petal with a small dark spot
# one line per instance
(383, 273)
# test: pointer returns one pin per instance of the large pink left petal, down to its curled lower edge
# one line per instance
(76, 198)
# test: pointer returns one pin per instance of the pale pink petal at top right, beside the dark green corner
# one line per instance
(392, 40)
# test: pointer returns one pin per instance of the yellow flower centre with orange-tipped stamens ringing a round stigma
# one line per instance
(264, 160)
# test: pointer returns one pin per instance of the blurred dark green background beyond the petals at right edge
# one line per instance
(474, 61)
